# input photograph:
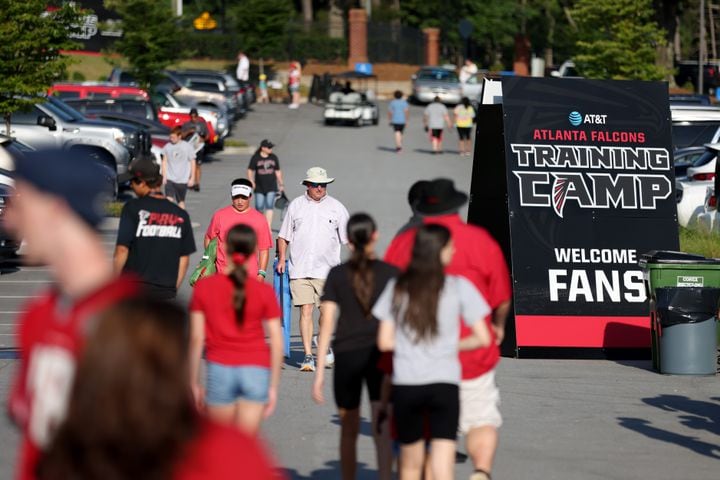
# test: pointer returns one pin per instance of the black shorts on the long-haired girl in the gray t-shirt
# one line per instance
(438, 402)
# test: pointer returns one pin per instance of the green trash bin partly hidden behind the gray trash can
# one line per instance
(662, 268)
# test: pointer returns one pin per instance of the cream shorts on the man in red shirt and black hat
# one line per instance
(479, 403)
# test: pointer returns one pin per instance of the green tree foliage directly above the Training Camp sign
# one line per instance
(618, 39)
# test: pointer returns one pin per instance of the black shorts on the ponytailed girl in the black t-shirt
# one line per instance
(351, 369)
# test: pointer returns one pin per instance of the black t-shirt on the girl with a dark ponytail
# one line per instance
(355, 330)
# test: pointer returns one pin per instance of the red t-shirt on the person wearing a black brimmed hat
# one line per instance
(478, 258)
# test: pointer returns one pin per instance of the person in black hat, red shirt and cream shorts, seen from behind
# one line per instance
(479, 258)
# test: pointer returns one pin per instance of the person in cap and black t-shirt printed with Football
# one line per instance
(155, 236)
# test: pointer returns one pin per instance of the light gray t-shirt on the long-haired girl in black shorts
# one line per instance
(436, 360)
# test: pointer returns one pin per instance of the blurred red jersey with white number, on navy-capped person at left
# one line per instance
(50, 339)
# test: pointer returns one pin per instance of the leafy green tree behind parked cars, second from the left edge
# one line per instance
(152, 37)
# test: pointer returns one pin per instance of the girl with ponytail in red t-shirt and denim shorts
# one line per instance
(228, 311)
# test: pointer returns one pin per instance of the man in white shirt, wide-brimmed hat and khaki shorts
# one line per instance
(314, 228)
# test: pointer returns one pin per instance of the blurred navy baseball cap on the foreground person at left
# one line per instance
(74, 176)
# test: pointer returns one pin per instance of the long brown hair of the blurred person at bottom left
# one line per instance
(130, 413)
